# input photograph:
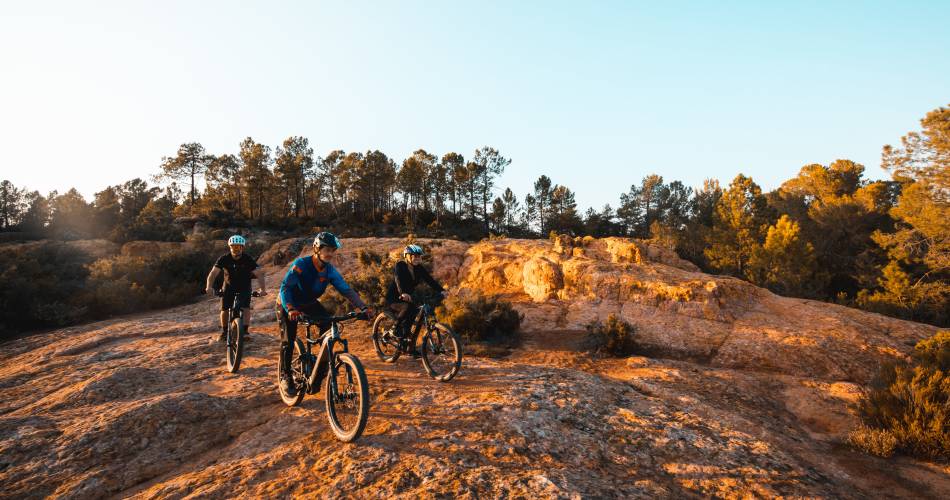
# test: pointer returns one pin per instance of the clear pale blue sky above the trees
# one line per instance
(594, 94)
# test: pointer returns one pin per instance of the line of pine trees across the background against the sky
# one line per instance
(828, 233)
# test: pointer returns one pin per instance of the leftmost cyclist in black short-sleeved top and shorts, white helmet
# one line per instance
(239, 268)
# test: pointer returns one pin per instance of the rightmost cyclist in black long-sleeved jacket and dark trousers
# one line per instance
(408, 274)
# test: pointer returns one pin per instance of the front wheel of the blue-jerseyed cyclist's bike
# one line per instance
(347, 397)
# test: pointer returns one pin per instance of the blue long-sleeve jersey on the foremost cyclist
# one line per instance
(304, 284)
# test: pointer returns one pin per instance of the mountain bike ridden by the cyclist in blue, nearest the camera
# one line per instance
(346, 389)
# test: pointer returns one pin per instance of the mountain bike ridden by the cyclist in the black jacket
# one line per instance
(441, 347)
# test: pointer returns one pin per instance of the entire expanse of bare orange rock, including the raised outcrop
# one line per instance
(744, 393)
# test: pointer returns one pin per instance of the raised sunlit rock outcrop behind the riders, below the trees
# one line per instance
(678, 311)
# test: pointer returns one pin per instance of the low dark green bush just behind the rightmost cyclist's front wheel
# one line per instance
(481, 317)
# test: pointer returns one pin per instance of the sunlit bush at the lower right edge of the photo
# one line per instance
(912, 401)
